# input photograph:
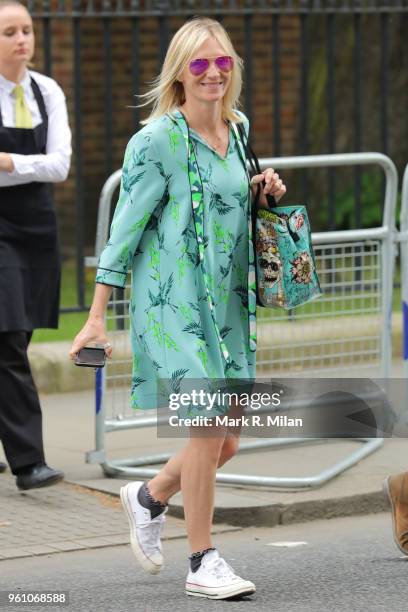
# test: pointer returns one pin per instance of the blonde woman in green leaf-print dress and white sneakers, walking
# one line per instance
(182, 225)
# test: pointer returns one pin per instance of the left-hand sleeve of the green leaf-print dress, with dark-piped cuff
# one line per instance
(143, 186)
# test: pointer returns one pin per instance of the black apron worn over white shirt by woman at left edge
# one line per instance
(29, 253)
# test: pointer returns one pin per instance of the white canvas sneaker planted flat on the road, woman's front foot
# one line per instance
(215, 579)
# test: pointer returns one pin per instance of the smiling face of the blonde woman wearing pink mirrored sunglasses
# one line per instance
(211, 85)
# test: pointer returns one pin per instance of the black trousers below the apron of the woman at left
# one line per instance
(20, 410)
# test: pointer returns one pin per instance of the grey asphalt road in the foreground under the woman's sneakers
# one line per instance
(348, 564)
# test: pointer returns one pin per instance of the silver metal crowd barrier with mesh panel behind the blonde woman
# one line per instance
(310, 340)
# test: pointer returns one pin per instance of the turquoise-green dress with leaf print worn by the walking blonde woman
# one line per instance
(182, 225)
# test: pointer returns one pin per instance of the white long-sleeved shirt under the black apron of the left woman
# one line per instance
(53, 166)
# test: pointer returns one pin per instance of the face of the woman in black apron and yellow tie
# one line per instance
(16, 36)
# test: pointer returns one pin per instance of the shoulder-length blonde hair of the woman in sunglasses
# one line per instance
(167, 93)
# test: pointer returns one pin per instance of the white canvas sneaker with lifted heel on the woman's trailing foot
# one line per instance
(145, 532)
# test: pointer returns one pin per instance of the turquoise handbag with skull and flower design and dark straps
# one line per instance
(285, 267)
